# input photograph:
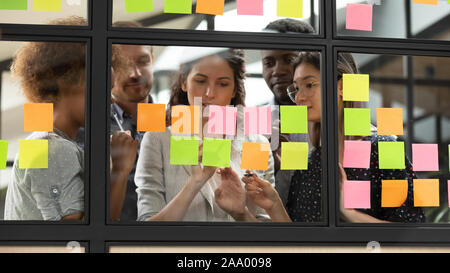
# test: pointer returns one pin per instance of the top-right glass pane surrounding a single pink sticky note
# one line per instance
(389, 20)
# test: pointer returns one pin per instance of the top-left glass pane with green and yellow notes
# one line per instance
(40, 12)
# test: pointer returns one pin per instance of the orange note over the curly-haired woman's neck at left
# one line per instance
(38, 117)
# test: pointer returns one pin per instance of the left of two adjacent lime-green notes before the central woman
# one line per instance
(184, 150)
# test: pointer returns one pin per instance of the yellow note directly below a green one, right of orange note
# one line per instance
(294, 155)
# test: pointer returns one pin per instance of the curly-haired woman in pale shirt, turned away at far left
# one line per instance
(54, 72)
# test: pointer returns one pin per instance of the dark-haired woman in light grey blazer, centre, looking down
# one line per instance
(198, 193)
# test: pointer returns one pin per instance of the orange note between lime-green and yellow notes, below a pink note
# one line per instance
(255, 156)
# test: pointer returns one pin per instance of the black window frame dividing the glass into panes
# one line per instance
(98, 233)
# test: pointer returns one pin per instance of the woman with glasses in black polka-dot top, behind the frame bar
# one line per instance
(305, 194)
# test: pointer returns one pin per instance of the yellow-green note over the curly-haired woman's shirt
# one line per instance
(33, 154)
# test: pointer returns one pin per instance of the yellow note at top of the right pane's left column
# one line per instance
(355, 87)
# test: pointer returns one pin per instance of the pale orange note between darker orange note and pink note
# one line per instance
(185, 119)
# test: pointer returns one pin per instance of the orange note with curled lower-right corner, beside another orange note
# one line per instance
(393, 193)
